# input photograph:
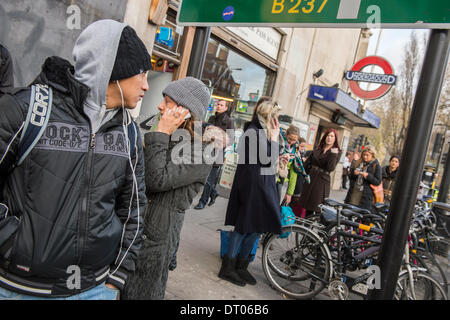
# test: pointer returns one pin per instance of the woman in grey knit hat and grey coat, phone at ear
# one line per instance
(173, 178)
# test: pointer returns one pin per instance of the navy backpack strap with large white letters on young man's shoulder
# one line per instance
(39, 111)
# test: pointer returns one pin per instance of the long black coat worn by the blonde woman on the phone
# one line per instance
(254, 205)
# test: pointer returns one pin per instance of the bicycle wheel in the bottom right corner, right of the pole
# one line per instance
(423, 287)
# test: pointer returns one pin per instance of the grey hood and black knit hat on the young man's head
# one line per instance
(107, 51)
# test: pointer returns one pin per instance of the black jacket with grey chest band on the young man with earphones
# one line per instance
(71, 194)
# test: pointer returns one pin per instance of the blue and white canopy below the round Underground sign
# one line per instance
(335, 99)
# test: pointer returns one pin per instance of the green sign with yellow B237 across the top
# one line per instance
(317, 13)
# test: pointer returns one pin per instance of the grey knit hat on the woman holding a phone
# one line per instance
(191, 93)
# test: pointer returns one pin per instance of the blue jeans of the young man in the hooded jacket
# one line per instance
(100, 292)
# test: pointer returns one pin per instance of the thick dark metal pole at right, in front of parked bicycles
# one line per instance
(413, 158)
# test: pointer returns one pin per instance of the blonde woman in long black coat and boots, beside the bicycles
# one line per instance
(254, 206)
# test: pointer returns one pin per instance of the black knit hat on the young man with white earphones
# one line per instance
(132, 57)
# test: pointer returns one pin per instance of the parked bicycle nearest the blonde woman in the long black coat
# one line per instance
(301, 265)
